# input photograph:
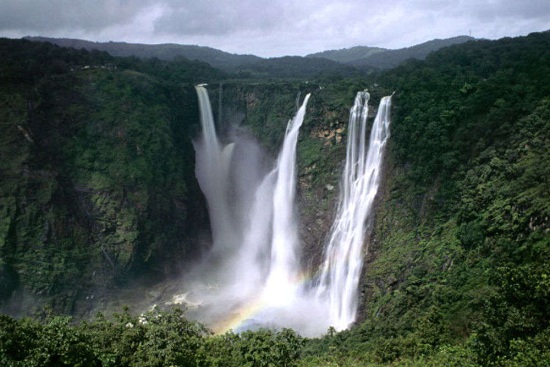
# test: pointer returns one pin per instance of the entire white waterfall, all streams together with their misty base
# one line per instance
(251, 275)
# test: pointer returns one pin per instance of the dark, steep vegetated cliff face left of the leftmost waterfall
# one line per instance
(97, 187)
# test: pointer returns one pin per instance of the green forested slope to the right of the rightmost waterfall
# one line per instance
(460, 250)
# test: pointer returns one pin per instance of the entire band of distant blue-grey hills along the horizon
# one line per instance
(342, 61)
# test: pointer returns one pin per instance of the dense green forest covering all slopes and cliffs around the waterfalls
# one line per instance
(458, 268)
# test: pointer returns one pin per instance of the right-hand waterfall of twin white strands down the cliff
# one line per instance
(343, 262)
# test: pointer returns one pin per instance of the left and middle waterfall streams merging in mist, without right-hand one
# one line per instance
(255, 252)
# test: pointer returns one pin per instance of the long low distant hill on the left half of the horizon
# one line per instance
(168, 51)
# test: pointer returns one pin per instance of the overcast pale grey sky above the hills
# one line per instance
(273, 27)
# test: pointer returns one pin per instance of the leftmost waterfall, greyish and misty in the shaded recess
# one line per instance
(229, 174)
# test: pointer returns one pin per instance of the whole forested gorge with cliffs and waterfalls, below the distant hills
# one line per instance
(100, 207)
